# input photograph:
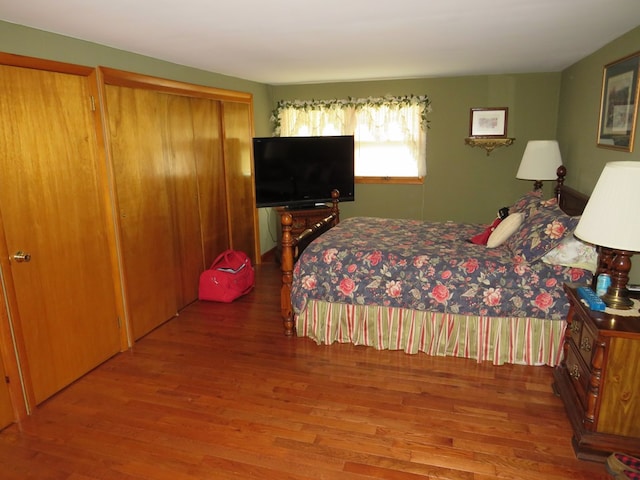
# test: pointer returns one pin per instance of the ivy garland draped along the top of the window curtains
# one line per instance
(357, 103)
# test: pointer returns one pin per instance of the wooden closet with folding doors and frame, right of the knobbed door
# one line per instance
(183, 187)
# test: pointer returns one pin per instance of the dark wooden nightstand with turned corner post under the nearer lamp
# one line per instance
(599, 380)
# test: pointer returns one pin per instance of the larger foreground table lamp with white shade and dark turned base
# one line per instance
(611, 221)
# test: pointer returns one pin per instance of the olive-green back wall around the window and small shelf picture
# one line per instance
(462, 183)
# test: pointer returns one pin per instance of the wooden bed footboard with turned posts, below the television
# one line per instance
(292, 247)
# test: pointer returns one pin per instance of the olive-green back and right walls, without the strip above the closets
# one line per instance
(463, 184)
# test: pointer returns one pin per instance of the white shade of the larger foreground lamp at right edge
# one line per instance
(611, 217)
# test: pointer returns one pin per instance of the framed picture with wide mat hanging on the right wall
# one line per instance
(619, 104)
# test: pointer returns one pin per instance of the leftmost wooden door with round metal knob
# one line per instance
(51, 207)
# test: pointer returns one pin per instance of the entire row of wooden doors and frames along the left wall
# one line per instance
(117, 191)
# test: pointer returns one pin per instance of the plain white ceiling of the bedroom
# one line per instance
(298, 41)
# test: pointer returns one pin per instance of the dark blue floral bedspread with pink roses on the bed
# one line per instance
(427, 266)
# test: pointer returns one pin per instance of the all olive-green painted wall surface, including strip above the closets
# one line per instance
(462, 183)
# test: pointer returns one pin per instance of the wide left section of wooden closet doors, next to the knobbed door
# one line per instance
(151, 141)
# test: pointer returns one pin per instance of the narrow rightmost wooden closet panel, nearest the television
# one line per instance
(243, 220)
